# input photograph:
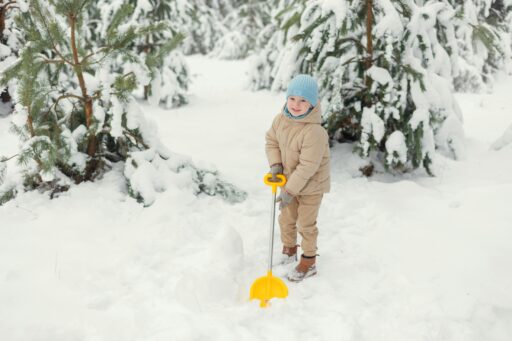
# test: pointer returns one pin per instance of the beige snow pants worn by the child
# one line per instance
(301, 215)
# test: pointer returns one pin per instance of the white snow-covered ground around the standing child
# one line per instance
(401, 258)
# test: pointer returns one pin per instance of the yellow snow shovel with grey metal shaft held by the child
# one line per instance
(267, 287)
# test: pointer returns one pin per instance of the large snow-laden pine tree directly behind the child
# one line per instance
(384, 75)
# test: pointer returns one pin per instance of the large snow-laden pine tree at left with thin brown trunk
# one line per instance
(75, 113)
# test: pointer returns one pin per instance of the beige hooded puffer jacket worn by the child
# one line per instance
(302, 147)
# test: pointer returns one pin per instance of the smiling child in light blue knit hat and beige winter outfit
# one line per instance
(298, 147)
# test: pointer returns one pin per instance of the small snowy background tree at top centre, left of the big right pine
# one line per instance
(244, 23)
